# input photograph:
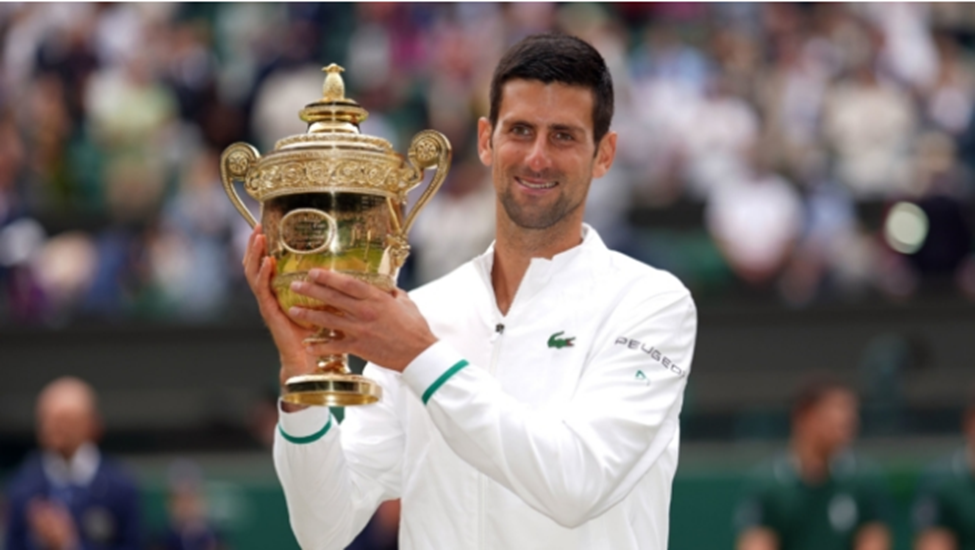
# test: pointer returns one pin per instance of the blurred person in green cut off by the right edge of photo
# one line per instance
(944, 514)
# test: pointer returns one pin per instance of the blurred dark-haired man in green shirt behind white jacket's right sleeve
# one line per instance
(818, 495)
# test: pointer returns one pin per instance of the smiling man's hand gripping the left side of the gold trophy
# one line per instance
(287, 335)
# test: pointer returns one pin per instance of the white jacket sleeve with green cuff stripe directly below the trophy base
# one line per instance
(335, 477)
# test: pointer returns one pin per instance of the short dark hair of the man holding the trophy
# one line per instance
(554, 57)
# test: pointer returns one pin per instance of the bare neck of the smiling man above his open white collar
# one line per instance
(514, 249)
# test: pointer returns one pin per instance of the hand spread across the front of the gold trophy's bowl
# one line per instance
(385, 328)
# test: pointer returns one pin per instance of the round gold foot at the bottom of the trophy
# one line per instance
(331, 390)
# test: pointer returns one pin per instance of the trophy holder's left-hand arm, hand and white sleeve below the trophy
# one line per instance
(333, 478)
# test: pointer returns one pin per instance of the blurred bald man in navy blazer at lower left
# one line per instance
(69, 496)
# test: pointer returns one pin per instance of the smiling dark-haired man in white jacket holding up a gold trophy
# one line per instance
(531, 397)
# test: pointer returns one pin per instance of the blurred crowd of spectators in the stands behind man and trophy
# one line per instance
(813, 152)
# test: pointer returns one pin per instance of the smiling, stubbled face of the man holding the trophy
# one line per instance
(542, 154)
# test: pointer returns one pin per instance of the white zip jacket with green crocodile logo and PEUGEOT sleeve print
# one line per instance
(554, 426)
